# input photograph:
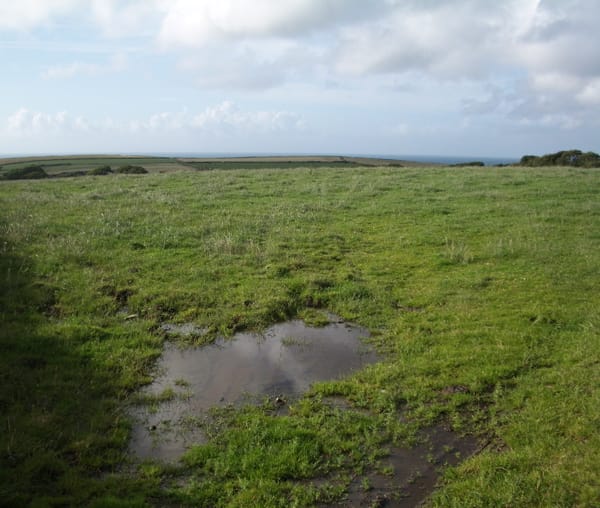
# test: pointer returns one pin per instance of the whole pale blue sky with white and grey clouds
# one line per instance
(431, 77)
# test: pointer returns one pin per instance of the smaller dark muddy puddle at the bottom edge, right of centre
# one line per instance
(414, 471)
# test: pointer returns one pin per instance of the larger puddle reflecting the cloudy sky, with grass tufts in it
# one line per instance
(282, 362)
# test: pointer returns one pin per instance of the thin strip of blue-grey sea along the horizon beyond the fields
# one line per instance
(438, 159)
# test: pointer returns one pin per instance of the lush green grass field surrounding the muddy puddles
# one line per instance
(480, 286)
